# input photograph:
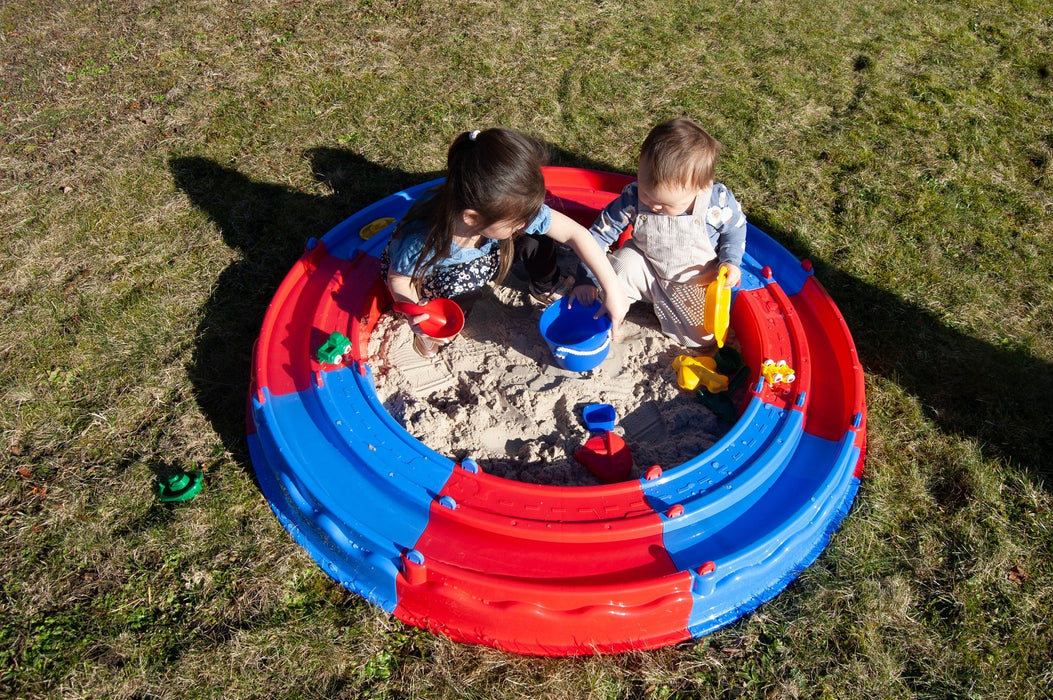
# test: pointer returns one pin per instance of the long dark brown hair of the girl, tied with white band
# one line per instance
(498, 173)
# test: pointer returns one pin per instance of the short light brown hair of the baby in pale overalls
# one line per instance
(682, 153)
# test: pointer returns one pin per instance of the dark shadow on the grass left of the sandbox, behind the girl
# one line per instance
(269, 226)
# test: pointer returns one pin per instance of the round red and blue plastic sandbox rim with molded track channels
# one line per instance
(554, 571)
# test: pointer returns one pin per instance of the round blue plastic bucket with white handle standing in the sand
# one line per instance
(579, 342)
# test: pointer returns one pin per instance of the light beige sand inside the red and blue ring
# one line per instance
(498, 396)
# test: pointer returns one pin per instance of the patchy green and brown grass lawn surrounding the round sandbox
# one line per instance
(164, 164)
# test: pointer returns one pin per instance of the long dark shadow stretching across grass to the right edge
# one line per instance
(1000, 396)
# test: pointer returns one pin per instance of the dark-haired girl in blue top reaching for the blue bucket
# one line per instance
(490, 209)
